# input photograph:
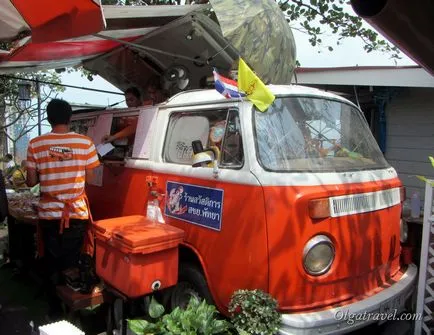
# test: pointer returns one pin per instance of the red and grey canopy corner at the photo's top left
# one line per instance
(49, 20)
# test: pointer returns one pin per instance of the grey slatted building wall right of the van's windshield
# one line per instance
(410, 136)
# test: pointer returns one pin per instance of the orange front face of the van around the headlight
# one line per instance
(367, 246)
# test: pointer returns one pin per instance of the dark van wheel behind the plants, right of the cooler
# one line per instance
(191, 283)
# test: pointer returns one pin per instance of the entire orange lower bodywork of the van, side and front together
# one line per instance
(264, 231)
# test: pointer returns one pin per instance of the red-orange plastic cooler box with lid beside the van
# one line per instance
(136, 255)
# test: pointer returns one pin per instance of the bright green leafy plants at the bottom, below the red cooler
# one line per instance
(197, 318)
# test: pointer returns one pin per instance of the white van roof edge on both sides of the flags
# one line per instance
(211, 95)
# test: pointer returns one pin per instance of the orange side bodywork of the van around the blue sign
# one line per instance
(234, 258)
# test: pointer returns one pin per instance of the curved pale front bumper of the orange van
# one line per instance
(380, 307)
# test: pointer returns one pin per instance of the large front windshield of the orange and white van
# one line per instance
(314, 134)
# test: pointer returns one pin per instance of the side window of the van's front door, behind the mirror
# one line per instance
(220, 128)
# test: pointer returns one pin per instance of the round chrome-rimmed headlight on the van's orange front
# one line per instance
(318, 255)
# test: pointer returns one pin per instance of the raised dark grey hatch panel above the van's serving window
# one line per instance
(193, 43)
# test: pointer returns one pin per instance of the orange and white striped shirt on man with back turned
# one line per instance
(61, 161)
